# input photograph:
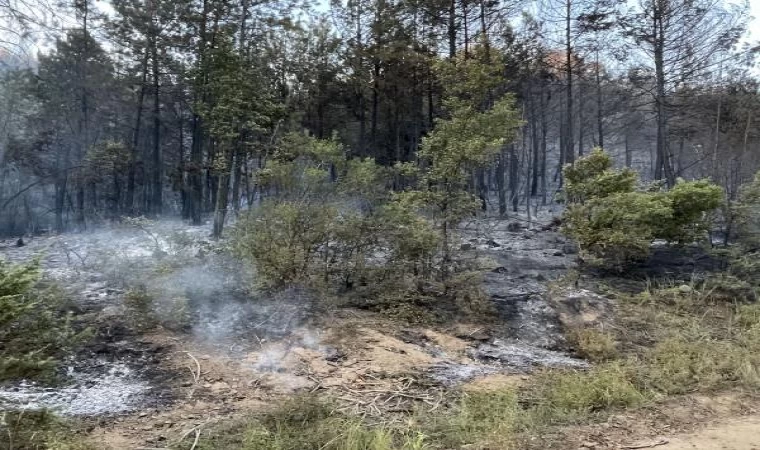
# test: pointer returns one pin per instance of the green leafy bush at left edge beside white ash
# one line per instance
(34, 332)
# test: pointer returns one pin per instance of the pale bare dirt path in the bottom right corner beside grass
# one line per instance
(739, 434)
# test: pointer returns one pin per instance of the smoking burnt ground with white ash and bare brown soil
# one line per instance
(237, 350)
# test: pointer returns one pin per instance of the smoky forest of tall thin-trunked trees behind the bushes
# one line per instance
(175, 108)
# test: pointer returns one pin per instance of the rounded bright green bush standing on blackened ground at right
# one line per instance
(614, 224)
